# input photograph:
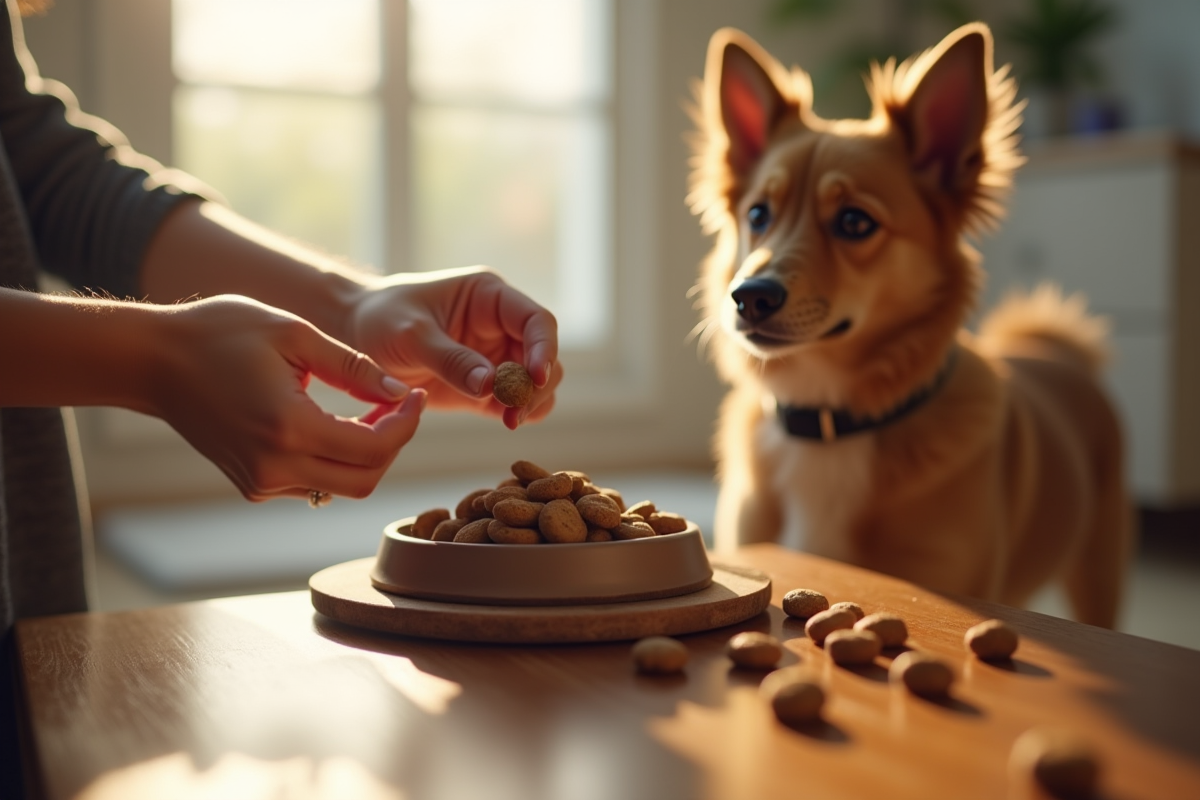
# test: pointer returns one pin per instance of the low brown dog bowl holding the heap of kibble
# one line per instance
(542, 575)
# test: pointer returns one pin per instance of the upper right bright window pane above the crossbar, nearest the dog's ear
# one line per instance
(542, 52)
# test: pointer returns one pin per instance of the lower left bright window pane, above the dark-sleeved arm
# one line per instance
(307, 166)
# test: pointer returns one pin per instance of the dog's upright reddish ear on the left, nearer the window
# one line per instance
(743, 97)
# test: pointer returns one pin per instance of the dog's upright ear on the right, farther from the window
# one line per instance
(947, 112)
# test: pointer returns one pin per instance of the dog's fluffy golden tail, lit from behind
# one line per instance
(1047, 323)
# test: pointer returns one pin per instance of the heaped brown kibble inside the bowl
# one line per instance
(536, 506)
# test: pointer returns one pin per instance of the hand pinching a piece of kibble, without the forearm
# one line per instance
(446, 332)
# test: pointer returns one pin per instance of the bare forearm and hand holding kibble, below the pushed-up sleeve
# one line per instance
(442, 332)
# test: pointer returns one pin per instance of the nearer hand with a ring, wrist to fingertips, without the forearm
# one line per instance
(235, 387)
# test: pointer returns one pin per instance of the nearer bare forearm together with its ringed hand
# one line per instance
(227, 374)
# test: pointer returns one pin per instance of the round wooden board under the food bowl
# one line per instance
(345, 593)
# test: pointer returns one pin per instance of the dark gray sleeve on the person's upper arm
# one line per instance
(93, 204)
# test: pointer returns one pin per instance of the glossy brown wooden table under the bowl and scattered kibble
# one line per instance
(260, 697)
